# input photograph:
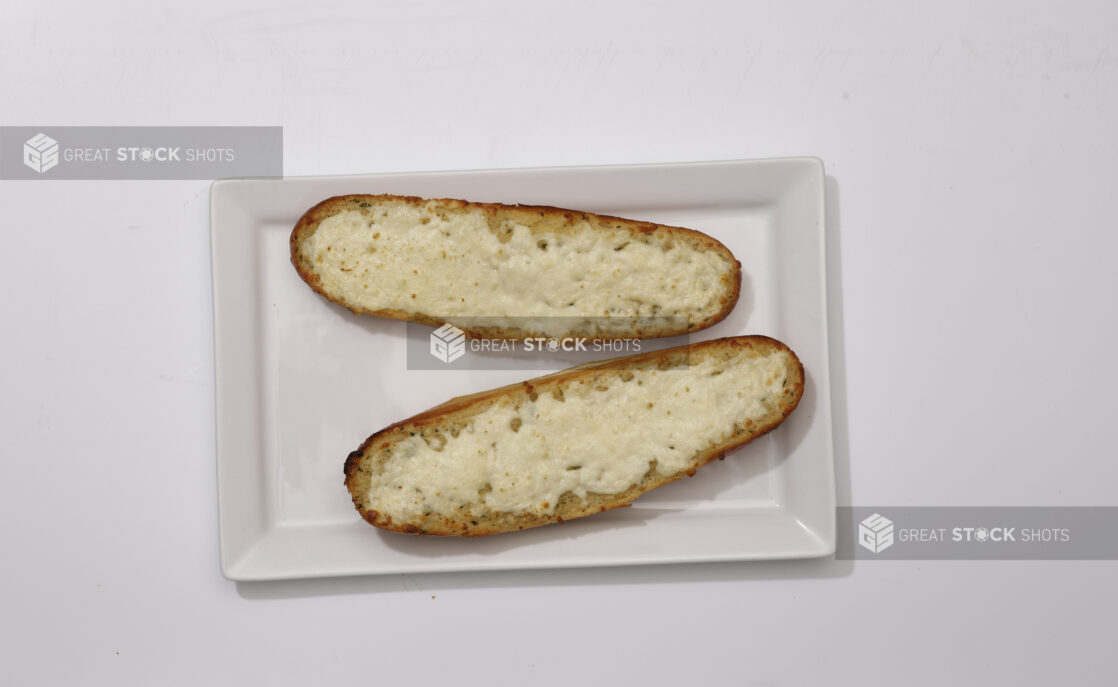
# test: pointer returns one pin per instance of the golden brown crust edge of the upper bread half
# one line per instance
(309, 223)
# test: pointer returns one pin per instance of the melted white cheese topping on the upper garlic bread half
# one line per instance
(397, 257)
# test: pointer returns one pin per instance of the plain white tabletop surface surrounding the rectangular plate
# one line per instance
(971, 157)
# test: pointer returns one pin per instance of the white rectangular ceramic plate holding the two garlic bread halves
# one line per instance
(301, 383)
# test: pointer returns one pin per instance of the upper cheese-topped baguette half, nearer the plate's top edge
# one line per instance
(552, 272)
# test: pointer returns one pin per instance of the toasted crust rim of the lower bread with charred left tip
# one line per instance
(361, 465)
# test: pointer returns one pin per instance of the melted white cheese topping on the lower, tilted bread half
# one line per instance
(598, 439)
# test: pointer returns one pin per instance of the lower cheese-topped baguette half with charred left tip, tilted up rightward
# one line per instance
(573, 444)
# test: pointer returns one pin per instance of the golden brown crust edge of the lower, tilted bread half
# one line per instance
(570, 507)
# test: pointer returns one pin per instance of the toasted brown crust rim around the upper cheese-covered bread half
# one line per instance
(309, 223)
